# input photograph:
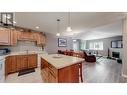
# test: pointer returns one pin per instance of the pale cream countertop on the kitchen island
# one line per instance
(62, 60)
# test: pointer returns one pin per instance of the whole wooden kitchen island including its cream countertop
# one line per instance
(56, 68)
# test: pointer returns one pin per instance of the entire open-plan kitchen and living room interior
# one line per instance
(63, 47)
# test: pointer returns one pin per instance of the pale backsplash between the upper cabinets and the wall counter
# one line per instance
(22, 46)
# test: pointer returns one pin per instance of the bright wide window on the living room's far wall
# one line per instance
(96, 45)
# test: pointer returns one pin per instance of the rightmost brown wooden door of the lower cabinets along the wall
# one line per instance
(32, 61)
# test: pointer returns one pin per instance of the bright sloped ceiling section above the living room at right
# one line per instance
(109, 30)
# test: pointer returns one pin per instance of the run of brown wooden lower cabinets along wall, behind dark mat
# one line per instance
(20, 62)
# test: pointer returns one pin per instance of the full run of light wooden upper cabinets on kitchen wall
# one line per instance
(10, 36)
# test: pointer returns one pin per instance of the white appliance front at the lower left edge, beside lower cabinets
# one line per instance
(2, 70)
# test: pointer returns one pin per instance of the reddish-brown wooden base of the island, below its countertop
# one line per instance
(69, 74)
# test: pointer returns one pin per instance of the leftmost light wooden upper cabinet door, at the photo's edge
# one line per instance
(4, 36)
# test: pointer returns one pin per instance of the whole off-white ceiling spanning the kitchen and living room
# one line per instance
(81, 22)
